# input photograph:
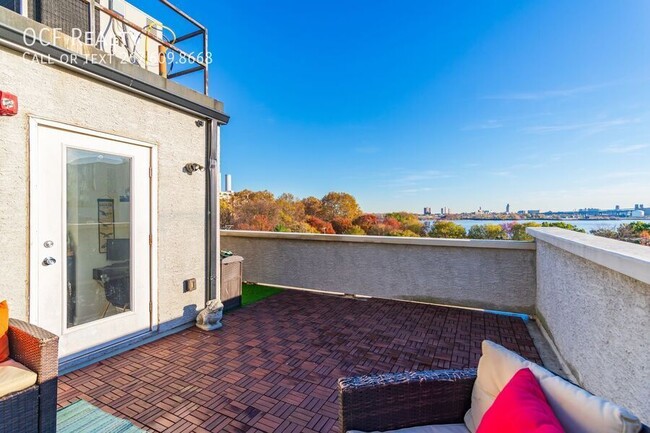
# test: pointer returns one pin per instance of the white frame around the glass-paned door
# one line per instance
(34, 258)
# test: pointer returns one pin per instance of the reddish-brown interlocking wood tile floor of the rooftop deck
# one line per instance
(273, 366)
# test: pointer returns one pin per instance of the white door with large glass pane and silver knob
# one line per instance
(92, 202)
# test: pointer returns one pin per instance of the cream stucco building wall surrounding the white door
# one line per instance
(56, 94)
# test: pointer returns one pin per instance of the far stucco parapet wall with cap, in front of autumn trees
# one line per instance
(489, 274)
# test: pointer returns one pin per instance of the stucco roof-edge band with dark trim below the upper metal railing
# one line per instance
(16, 32)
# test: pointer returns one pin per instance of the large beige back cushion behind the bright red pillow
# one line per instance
(576, 409)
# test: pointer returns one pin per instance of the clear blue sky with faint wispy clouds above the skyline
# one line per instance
(540, 104)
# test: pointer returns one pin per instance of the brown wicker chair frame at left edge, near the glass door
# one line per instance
(32, 409)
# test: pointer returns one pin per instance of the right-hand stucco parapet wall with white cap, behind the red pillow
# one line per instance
(598, 316)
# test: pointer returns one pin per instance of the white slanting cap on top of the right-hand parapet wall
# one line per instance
(626, 258)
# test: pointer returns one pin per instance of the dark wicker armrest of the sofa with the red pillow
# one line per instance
(399, 400)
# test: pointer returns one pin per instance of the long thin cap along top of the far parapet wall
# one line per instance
(394, 240)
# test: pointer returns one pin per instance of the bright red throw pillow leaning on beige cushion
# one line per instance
(520, 407)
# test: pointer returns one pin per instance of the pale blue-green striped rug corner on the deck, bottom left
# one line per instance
(83, 417)
